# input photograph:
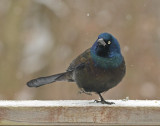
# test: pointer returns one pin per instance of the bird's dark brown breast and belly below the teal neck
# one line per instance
(98, 79)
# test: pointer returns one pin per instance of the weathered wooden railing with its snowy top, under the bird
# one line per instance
(78, 112)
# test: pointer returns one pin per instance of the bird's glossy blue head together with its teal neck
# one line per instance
(106, 50)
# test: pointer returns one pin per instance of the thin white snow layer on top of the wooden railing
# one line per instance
(78, 103)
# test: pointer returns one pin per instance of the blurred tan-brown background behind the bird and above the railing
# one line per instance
(42, 37)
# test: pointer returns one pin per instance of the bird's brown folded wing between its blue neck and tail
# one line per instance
(80, 61)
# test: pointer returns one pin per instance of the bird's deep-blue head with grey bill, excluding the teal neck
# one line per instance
(106, 46)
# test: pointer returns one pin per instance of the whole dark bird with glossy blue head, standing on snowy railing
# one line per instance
(97, 69)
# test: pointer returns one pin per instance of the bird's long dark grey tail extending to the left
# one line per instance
(49, 79)
